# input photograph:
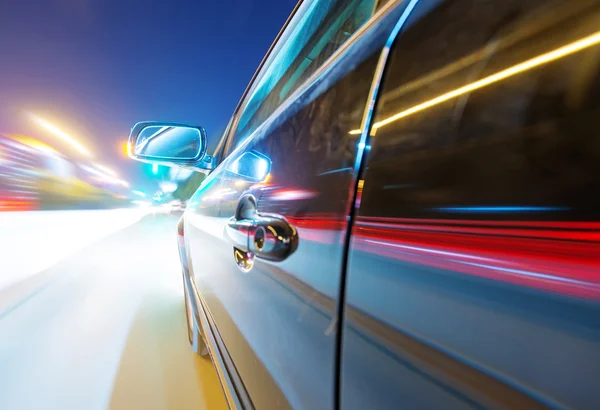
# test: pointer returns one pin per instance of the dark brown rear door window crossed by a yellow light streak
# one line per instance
(496, 111)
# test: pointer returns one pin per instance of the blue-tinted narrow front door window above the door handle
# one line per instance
(317, 30)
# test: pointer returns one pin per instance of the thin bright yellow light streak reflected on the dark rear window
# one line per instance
(542, 59)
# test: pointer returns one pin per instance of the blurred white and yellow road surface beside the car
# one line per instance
(104, 326)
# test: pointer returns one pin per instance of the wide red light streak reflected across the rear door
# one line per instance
(542, 255)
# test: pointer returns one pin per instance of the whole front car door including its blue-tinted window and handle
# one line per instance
(289, 161)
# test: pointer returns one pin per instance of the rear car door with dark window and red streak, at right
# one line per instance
(474, 268)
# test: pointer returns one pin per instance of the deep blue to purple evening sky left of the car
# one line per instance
(95, 67)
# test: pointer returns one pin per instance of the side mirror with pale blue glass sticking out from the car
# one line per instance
(170, 143)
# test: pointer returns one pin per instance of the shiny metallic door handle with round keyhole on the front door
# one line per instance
(267, 236)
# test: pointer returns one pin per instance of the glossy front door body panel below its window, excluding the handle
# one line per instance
(278, 320)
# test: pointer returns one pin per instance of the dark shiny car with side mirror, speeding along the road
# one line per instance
(404, 210)
